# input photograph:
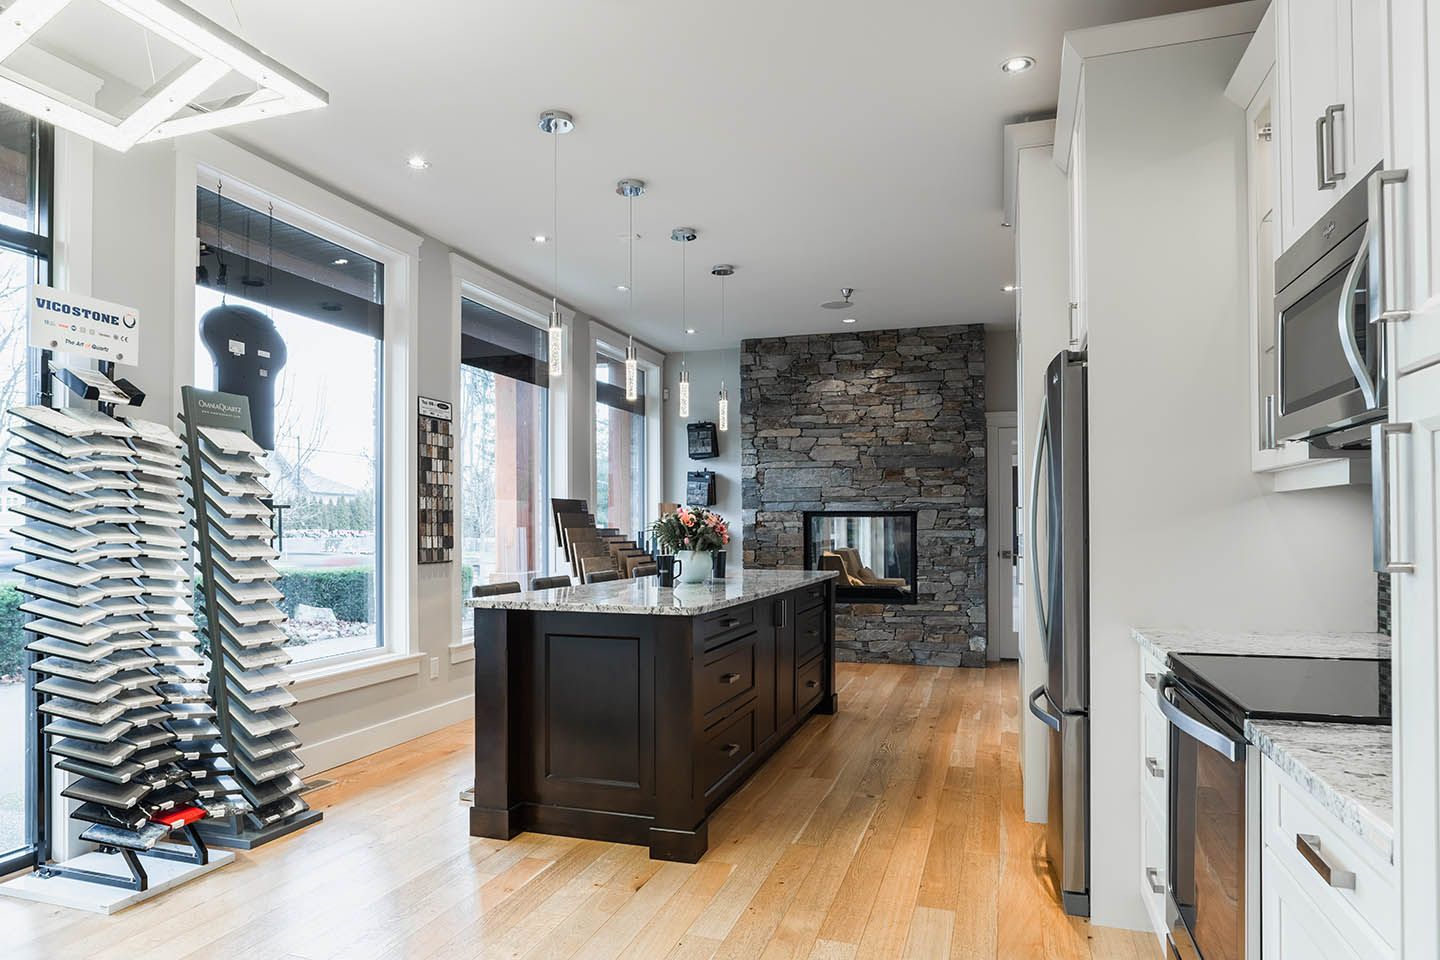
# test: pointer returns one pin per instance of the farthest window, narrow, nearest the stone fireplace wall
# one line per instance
(620, 450)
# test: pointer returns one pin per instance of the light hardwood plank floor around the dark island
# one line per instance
(892, 830)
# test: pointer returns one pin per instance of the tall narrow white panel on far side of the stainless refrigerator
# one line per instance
(1043, 325)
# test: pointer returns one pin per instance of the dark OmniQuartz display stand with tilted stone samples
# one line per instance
(234, 539)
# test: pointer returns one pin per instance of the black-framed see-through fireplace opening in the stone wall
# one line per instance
(873, 552)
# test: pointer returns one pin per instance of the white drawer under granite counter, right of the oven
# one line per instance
(1367, 913)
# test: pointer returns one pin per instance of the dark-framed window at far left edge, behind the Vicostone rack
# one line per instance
(25, 257)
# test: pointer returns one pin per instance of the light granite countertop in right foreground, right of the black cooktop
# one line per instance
(1344, 766)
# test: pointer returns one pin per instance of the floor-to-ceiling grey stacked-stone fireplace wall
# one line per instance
(875, 424)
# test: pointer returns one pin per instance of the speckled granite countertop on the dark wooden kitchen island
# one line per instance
(646, 595)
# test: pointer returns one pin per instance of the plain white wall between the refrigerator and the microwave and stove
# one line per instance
(1182, 532)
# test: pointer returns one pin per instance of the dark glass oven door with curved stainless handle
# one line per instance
(1209, 864)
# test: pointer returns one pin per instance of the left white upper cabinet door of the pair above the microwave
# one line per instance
(1311, 110)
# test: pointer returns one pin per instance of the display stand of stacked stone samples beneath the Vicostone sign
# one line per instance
(119, 694)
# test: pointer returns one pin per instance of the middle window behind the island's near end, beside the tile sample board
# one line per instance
(503, 435)
